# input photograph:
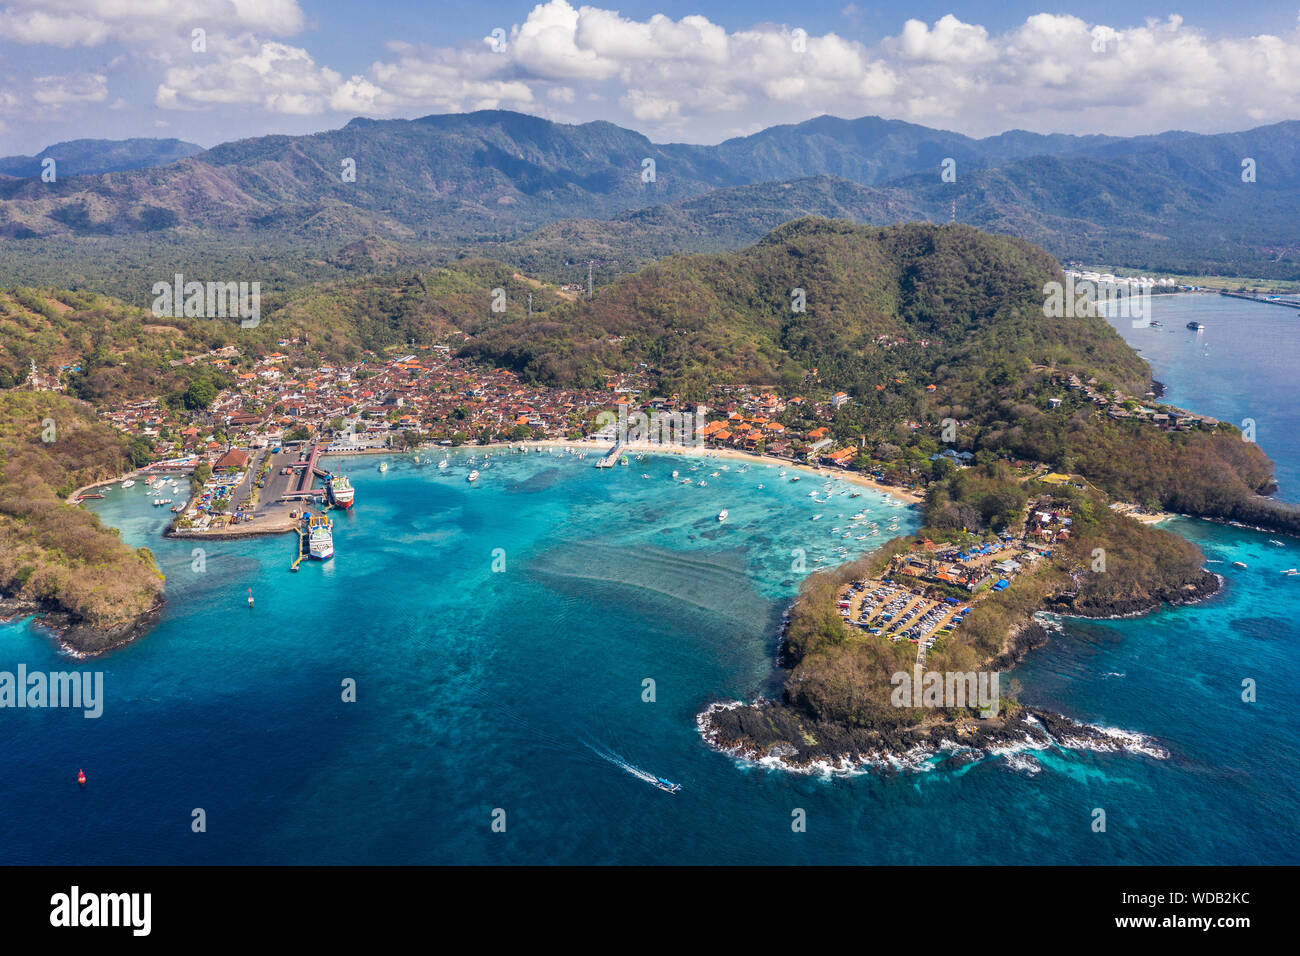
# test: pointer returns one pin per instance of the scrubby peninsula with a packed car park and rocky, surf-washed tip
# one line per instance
(960, 596)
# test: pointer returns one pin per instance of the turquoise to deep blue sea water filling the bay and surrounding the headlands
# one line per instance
(513, 690)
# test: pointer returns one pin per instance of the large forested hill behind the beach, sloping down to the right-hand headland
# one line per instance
(918, 325)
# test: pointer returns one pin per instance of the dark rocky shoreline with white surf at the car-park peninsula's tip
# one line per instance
(772, 734)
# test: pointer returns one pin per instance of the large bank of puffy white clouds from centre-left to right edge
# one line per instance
(690, 77)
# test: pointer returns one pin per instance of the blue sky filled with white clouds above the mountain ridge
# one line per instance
(677, 70)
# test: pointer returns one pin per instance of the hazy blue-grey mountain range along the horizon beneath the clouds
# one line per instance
(551, 197)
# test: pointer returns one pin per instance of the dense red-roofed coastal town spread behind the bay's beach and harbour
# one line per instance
(255, 447)
